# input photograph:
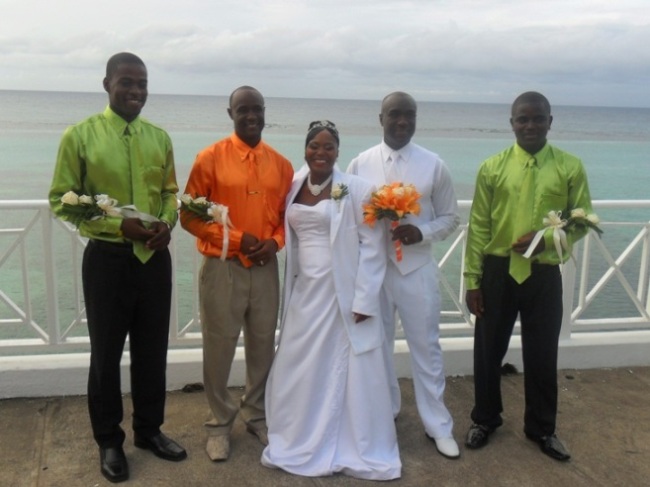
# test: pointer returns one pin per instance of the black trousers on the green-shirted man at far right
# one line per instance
(538, 300)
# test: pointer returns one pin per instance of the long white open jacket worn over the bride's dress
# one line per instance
(358, 261)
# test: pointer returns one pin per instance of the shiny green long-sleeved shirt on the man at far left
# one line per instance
(135, 167)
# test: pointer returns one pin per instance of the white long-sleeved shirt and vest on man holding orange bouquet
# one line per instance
(438, 216)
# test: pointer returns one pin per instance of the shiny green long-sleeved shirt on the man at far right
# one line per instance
(561, 185)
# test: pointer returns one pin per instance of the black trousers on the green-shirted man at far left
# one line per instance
(125, 297)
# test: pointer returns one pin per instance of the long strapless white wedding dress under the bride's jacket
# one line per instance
(327, 409)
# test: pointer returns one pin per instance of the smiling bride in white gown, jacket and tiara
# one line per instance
(328, 405)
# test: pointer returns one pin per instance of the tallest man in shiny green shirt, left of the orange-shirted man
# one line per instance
(126, 269)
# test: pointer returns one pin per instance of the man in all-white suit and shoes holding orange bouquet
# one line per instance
(411, 285)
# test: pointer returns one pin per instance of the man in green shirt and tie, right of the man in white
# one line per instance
(515, 190)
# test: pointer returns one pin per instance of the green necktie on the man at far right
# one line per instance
(520, 266)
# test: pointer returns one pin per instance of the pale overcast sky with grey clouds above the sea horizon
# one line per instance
(577, 52)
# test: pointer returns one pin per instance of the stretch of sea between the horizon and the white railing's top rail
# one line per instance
(614, 143)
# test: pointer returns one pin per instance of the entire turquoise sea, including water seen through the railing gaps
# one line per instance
(614, 144)
